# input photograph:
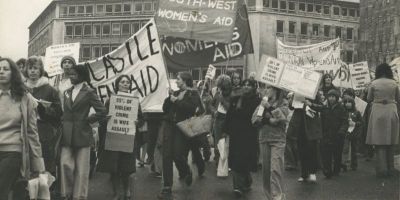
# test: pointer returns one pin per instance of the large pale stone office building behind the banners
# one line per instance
(102, 25)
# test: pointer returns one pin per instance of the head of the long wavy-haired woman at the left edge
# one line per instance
(10, 77)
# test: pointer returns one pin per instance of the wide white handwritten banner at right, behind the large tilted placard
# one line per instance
(323, 57)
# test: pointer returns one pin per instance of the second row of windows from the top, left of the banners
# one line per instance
(103, 29)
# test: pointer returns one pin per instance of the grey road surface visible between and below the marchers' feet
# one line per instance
(352, 185)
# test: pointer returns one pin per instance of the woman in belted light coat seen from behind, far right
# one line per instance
(383, 125)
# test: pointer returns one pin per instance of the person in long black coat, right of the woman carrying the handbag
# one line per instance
(243, 143)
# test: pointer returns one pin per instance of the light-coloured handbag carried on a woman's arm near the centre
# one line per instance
(195, 126)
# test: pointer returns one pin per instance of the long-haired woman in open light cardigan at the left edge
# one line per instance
(20, 149)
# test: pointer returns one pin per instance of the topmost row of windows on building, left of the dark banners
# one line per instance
(126, 8)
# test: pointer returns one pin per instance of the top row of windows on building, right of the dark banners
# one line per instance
(293, 6)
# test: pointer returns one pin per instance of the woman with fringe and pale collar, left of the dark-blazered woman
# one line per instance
(49, 109)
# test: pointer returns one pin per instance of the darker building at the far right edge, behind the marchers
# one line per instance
(380, 31)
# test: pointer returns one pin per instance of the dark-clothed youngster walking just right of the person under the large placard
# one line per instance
(334, 128)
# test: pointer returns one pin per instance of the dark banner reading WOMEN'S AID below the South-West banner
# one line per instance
(181, 54)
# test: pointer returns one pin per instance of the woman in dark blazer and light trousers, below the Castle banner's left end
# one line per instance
(77, 133)
